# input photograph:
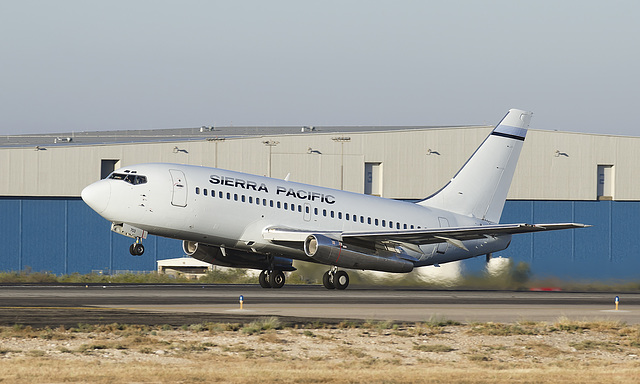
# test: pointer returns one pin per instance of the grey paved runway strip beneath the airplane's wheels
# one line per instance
(187, 304)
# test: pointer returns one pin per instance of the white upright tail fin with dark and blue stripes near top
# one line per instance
(480, 187)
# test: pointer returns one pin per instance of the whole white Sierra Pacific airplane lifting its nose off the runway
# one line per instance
(241, 220)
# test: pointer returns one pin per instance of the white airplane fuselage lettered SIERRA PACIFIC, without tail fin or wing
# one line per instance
(232, 209)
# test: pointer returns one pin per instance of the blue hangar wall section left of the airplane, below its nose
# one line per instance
(64, 236)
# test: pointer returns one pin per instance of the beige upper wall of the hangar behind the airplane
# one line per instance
(314, 158)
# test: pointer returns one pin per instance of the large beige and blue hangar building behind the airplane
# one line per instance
(561, 177)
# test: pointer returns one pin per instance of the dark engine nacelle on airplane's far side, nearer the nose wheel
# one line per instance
(234, 258)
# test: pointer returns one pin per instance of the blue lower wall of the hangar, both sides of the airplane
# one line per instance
(63, 235)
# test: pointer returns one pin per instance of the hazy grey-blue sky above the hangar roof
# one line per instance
(70, 66)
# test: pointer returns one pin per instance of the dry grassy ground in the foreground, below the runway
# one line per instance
(374, 352)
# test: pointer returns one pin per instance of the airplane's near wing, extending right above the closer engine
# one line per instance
(453, 235)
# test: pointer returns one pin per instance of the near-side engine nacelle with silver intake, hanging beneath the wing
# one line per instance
(332, 252)
